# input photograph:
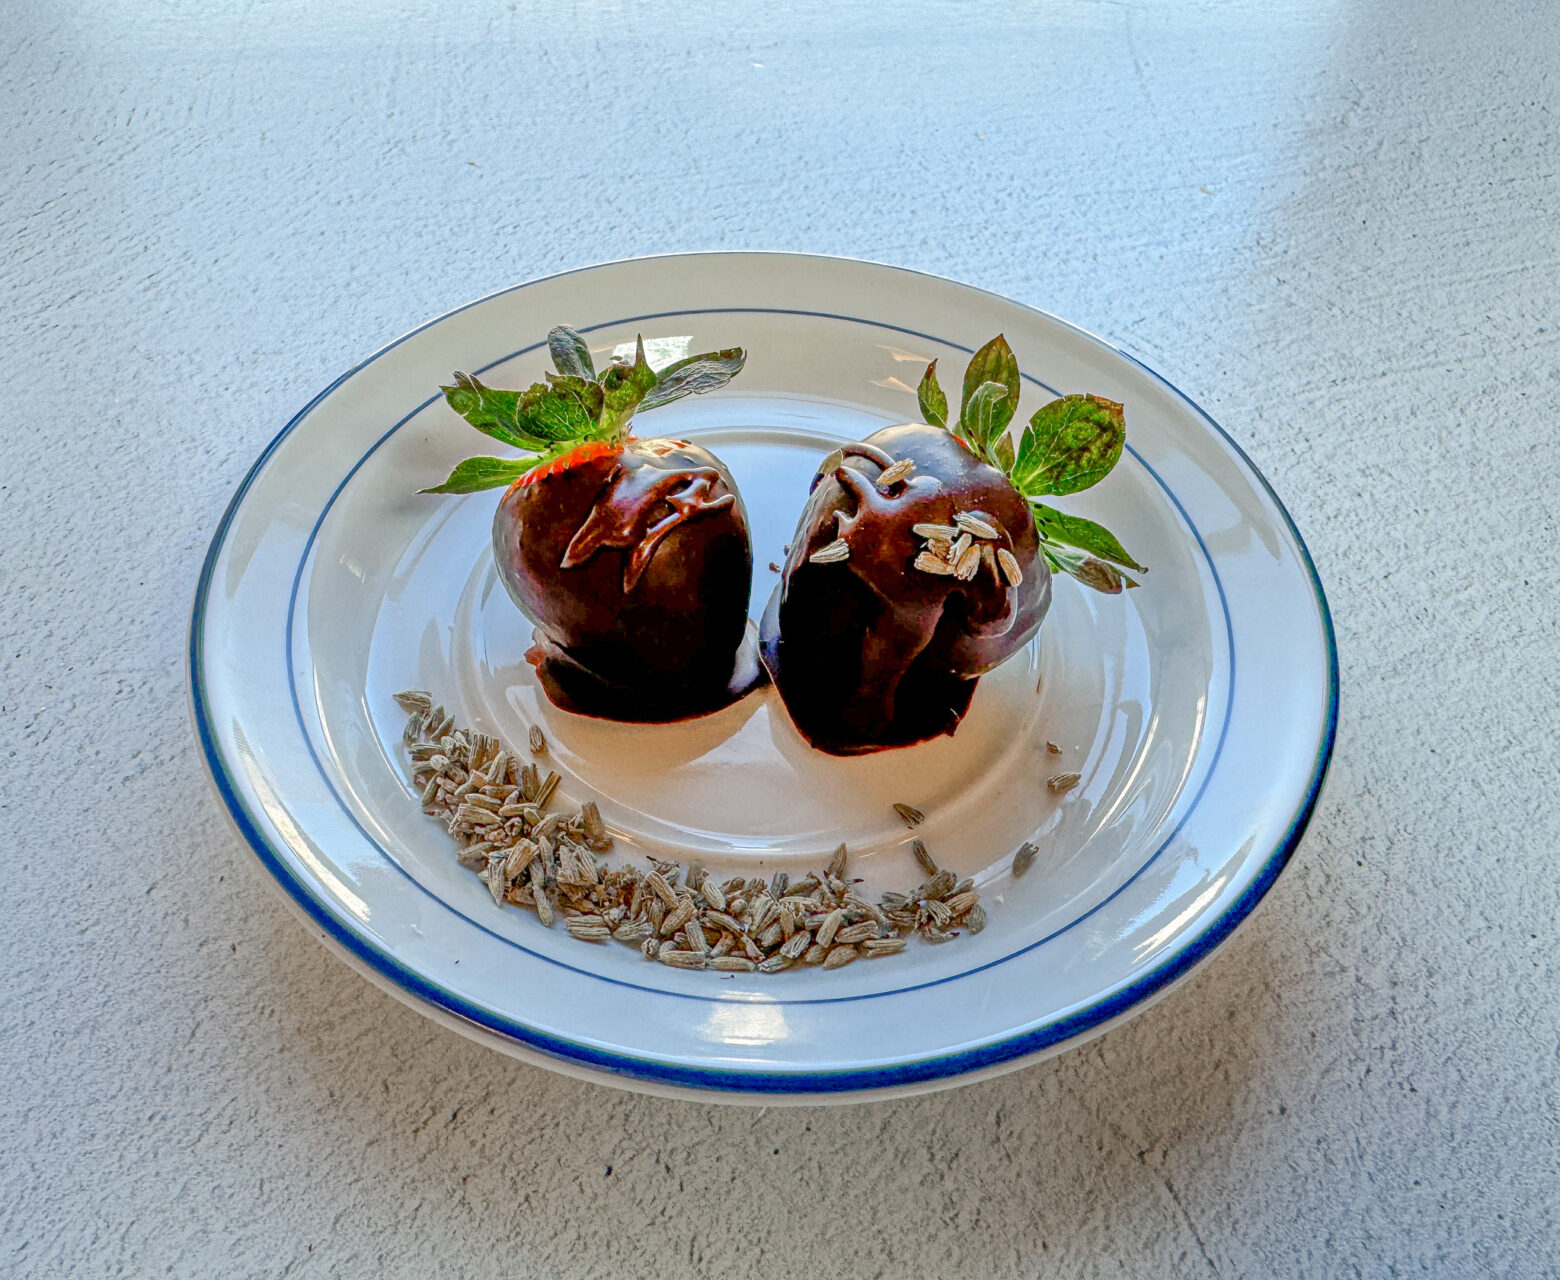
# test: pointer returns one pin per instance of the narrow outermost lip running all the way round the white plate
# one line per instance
(704, 1081)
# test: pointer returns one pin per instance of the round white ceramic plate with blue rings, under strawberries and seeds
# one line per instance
(1200, 709)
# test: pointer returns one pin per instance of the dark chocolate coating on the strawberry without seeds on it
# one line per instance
(636, 570)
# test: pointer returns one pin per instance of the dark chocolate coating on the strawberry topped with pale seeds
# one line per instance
(871, 652)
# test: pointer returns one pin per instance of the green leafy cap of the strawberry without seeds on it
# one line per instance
(573, 415)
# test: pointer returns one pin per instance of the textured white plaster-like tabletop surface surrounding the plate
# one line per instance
(1330, 224)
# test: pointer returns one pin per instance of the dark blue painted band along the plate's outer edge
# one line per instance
(938, 1067)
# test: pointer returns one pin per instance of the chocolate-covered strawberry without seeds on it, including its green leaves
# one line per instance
(633, 557)
